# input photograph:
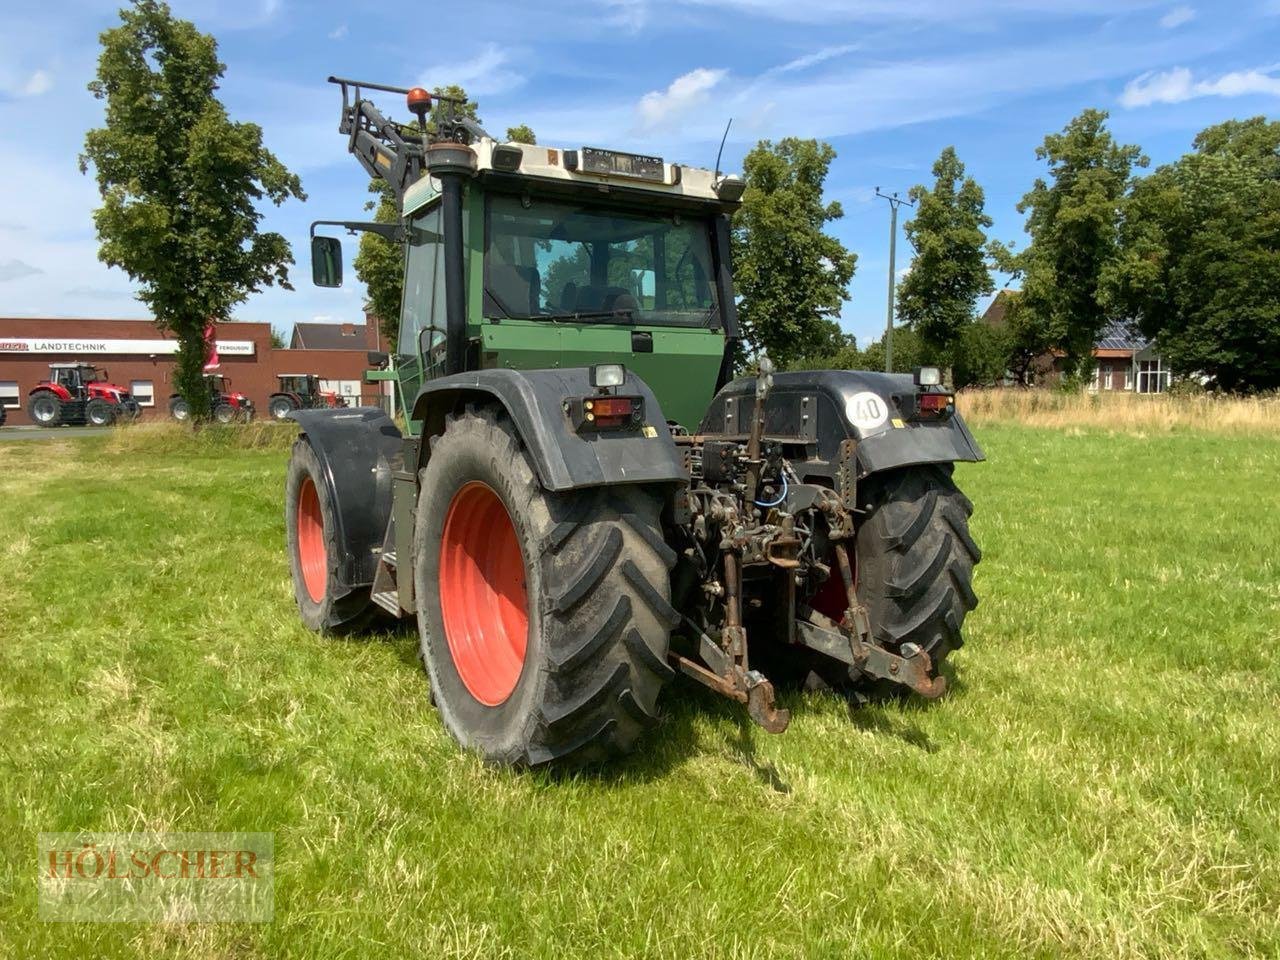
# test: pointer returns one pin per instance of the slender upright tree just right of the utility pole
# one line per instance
(949, 272)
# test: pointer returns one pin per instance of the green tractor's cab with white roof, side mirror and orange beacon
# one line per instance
(533, 258)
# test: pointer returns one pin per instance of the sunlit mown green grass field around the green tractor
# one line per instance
(1104, 780)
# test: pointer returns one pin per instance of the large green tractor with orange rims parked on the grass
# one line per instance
(587, 504)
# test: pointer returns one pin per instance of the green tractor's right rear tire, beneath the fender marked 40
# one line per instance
(916, 560)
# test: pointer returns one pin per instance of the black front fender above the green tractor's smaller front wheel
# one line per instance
(358, 451)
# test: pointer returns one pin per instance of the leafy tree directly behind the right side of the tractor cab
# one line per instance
(792, 277)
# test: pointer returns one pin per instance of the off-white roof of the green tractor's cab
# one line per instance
(592, 170)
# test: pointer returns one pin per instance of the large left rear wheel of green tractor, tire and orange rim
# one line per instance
(575, 675)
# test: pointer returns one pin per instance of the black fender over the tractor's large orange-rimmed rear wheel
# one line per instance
(564, 458)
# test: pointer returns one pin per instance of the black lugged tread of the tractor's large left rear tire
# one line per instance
(605, 611)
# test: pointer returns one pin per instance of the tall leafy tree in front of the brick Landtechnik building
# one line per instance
(181, 182)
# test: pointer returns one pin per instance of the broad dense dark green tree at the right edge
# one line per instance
(1200, 266)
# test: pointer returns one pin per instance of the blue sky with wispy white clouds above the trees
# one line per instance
(889, 84)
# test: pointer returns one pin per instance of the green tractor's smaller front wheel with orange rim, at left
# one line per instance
(312, 538)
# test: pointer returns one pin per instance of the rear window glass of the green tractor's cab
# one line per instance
(556, 260)
